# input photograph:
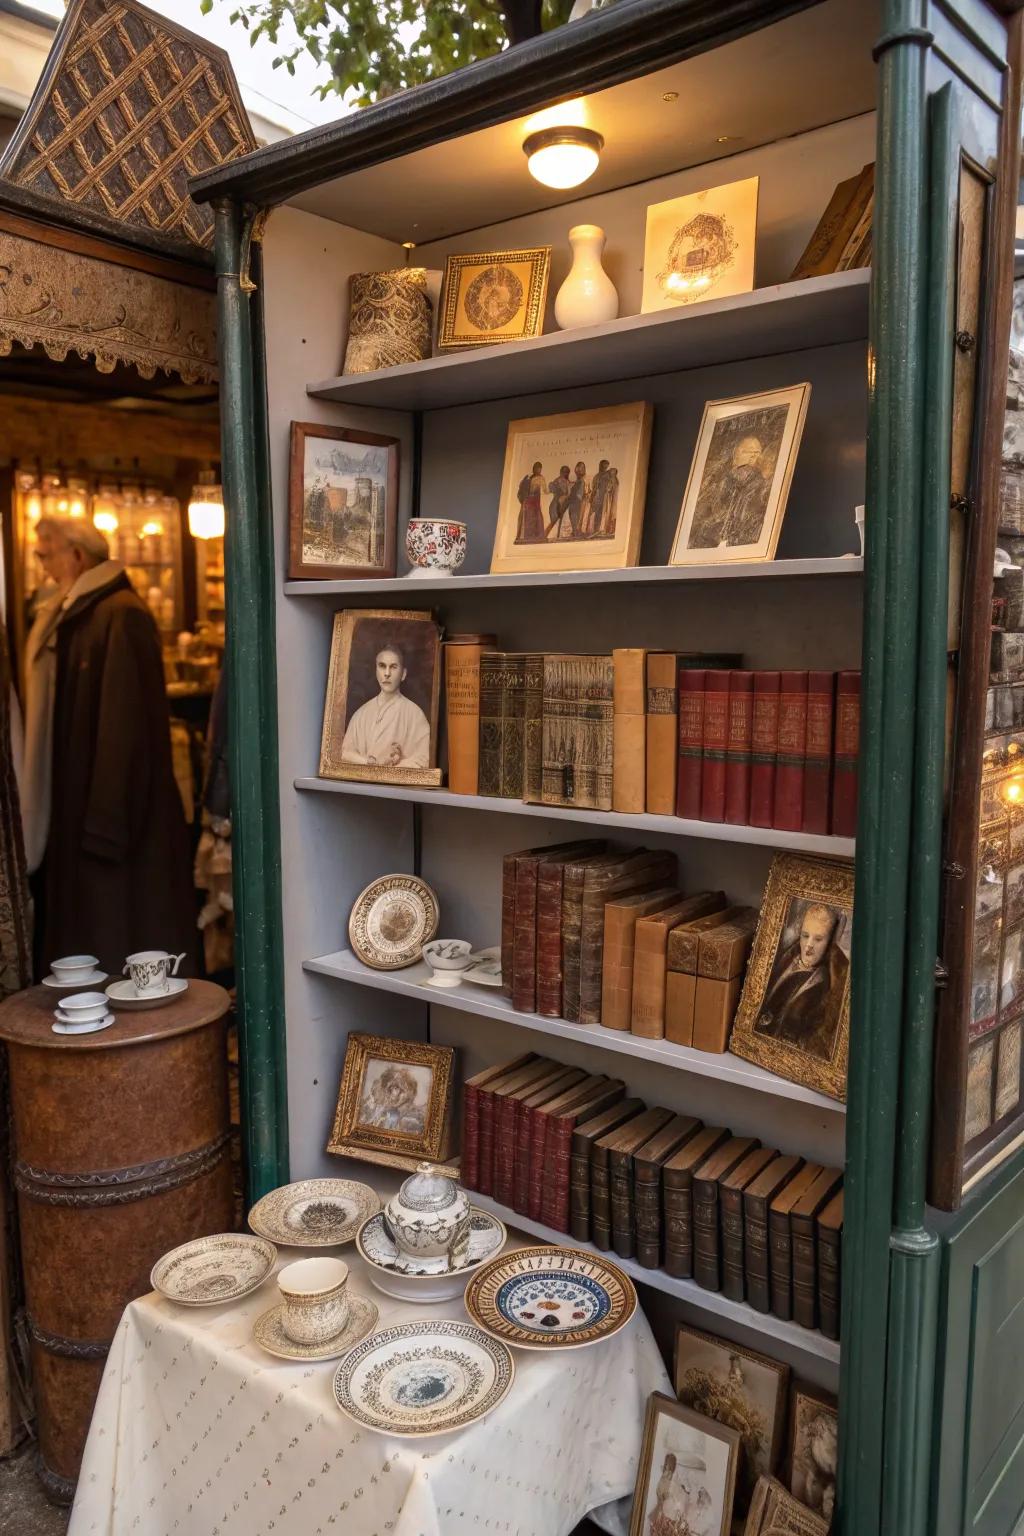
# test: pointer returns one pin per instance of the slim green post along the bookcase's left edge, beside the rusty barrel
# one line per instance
(253, 712)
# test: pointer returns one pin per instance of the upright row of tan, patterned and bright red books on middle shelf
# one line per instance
(670, 733)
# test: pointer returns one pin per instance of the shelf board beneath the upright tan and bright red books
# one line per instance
(609, 821)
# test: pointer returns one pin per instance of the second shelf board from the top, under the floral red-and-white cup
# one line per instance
(633, 577)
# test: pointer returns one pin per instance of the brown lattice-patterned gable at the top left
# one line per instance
(130, 108)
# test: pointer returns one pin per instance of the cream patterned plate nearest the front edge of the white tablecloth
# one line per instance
(424, 1379)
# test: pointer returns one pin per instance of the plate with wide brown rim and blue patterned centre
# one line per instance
(550, 1299)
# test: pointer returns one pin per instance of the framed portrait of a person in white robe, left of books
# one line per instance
(382, 709)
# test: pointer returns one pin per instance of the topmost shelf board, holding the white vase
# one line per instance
(788, 317)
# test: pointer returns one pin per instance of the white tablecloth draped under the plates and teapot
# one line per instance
(199, 1432)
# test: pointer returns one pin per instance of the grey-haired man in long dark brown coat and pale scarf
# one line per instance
(117, 875)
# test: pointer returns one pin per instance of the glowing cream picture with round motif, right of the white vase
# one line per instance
(701, 247)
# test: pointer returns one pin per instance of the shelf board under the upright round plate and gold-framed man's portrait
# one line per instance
(491, 1004)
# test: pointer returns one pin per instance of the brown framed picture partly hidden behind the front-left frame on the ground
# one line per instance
(738, 1388)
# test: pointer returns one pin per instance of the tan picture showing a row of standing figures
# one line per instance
(573, 491)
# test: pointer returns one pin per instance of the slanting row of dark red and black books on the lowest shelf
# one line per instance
(576, 1153)
